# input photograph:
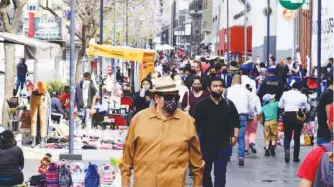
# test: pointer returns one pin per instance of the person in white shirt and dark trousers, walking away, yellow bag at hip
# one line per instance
(295, 105)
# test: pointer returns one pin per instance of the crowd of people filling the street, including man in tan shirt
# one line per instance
(226, 102)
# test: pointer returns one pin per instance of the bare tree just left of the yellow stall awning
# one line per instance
(87, 14)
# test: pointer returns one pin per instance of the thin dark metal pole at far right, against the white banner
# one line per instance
(319, 50)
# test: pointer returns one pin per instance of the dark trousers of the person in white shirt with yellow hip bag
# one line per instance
(292, 124)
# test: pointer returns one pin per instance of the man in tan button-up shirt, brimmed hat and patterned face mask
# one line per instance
(161, 141)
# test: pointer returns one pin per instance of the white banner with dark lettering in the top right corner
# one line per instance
(327, 32)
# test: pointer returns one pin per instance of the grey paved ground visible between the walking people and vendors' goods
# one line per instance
(259, 171)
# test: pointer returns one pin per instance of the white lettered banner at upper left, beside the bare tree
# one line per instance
(48, 28)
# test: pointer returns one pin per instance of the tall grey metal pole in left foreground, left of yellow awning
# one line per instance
(72, 69)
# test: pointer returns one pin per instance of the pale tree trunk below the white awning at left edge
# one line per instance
(9, 79)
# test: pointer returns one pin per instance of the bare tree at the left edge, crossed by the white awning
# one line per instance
(10, 26)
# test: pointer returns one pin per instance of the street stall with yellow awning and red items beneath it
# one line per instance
(118, 107)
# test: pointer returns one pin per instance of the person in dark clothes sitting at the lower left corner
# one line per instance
(11, 160)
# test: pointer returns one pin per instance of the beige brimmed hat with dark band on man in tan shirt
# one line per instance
(164, 84)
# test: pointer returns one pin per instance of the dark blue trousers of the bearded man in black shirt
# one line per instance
(220, 160)
